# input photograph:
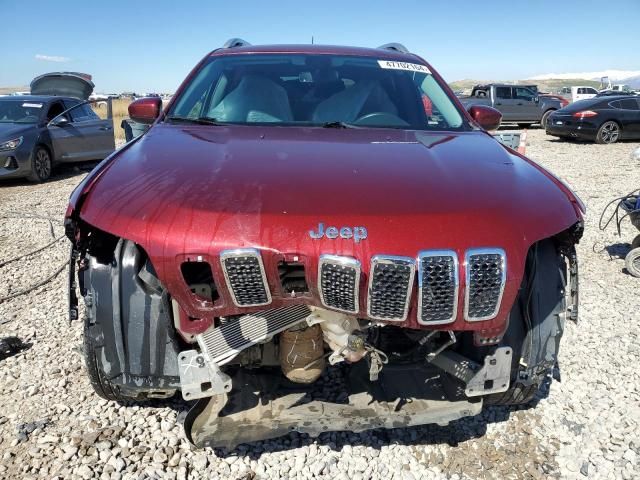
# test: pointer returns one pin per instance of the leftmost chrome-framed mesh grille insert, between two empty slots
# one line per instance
(245, 277)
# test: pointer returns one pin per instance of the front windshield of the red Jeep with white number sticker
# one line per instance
(317, 90)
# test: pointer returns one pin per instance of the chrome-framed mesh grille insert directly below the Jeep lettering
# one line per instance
(339, 282)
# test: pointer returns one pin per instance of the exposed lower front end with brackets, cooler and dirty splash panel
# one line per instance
(392, 378)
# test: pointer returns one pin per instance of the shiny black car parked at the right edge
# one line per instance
(601, 119)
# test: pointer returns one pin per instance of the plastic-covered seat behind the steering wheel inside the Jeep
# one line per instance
(354, 102)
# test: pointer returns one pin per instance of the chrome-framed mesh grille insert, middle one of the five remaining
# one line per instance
(390, 285)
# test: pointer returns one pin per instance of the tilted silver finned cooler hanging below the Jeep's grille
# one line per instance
(223, 342)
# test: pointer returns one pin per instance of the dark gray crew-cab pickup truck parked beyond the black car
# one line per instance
(518, 104)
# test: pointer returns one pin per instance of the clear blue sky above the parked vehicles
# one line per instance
(150, 46)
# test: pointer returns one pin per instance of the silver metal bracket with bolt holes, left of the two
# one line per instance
(199, 378)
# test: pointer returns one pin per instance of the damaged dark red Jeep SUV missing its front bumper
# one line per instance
(314, 238)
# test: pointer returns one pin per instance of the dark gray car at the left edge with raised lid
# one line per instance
(55, 125)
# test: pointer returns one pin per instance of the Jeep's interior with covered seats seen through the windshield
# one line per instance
(313, 92)
